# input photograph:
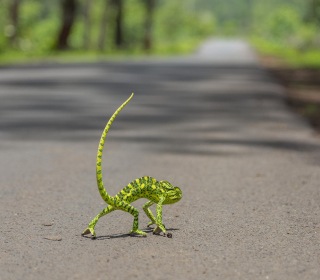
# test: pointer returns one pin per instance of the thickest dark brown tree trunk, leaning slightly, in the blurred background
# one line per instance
(69, 8)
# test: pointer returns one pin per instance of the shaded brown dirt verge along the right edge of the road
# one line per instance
(303, 88)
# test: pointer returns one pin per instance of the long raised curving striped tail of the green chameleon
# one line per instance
(101, 188)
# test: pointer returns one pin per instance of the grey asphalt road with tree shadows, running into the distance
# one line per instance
(215, 124)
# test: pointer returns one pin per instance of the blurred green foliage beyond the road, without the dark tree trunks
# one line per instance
(178, 26)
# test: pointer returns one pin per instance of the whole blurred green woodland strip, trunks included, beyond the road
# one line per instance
(87, 29)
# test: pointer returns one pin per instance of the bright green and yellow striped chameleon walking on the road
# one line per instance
(147, 187)
